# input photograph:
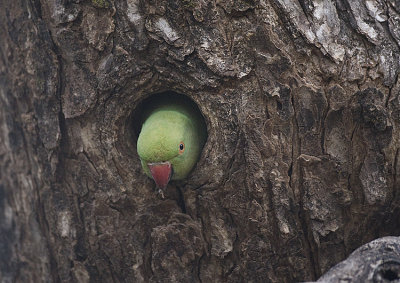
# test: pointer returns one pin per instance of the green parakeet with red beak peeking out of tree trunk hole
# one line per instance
(170, 141)
